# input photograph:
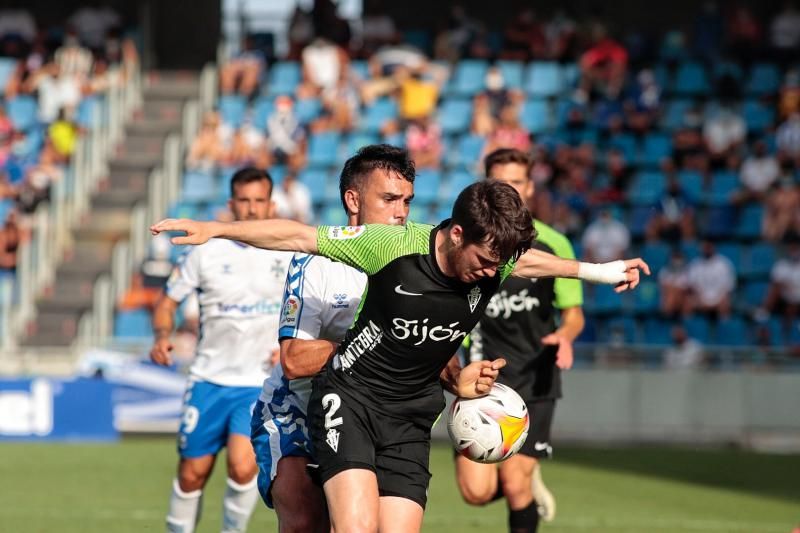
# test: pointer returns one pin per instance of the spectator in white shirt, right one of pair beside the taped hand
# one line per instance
(712, 279)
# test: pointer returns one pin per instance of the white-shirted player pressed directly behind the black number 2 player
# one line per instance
(319, 305)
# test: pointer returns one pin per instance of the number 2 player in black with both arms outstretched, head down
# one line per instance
(373, 405)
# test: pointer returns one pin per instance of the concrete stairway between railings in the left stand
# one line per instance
(109, 217)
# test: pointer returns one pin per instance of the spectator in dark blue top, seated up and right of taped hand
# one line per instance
(674, 218)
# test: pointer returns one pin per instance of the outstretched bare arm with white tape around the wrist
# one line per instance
(538, 264)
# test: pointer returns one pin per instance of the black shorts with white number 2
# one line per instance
(347, 434)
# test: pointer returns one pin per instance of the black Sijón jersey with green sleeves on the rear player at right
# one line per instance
(519, 315)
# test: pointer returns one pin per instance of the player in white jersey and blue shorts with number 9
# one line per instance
(239, 290)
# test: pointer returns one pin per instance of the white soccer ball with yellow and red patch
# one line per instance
(491, 428)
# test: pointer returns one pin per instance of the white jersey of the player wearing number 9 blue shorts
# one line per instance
(239, 290)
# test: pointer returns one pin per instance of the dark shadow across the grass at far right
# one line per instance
(762, 474)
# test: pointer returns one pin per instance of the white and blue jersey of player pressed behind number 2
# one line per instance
(320, 301)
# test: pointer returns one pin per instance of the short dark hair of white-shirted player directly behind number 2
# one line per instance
(369, 158)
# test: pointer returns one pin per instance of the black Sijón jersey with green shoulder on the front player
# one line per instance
(412, 318)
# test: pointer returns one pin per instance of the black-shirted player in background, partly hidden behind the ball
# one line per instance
(520, 324)
